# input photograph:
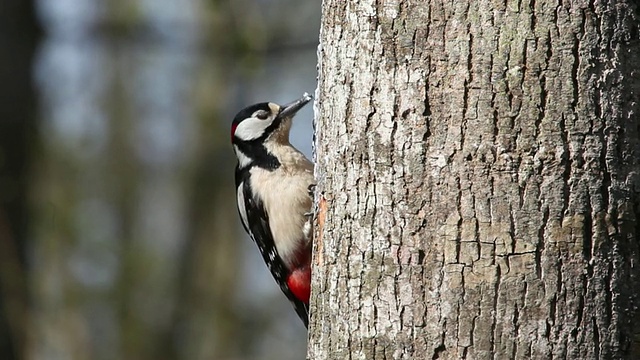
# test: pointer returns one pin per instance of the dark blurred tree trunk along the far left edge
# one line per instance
(19, 34)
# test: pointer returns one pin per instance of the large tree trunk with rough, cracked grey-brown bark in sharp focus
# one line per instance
(477, 168)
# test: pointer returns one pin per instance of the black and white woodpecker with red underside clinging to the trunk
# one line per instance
(274, 184)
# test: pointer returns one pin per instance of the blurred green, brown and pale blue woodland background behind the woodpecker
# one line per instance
(119, 235)
